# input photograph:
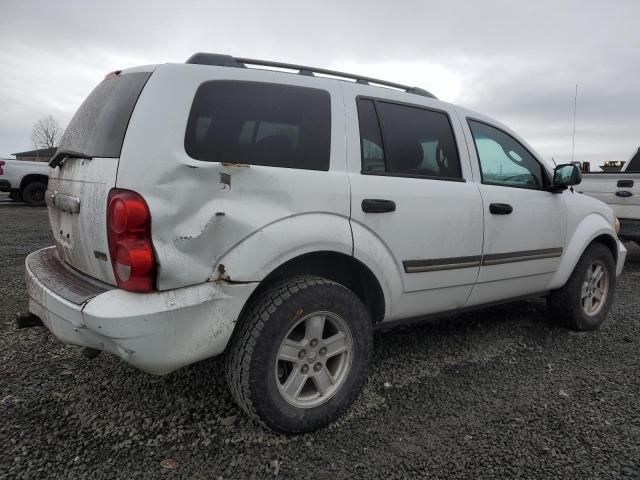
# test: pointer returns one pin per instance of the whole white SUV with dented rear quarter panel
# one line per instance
(278, 217)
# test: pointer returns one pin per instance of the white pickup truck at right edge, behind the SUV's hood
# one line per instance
(621, 191)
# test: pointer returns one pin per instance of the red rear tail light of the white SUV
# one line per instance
(129, 235)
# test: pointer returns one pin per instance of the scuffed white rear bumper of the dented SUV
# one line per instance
(156, 332)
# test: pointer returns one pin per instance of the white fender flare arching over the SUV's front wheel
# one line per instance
(591, 227)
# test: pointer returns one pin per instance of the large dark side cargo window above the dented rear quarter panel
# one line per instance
(260, 124)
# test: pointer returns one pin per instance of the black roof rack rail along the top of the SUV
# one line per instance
(230, 61)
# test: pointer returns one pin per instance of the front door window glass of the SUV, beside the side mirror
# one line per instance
(503, 160)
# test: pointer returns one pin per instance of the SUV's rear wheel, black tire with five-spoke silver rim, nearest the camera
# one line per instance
(300, 354)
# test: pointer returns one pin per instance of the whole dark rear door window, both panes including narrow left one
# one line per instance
(407, 140)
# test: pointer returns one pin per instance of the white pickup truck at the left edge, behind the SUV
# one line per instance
(24, 180)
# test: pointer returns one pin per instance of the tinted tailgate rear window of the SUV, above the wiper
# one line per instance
(98, 127)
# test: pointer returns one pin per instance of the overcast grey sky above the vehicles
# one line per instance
(516, 61)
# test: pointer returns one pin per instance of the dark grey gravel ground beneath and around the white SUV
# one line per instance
(497, 393)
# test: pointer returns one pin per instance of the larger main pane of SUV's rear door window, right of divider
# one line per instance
(418, 141)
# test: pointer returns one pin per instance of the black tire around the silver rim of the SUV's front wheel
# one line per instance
(565, 304)
